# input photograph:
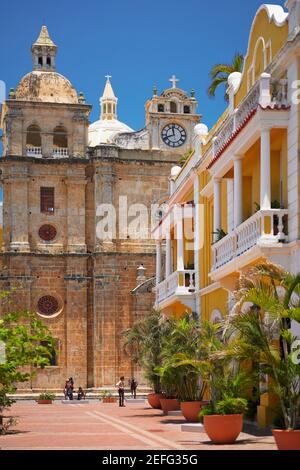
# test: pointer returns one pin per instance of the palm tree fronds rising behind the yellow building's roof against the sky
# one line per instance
(219, 74)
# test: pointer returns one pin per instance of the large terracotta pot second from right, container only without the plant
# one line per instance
(223, 429)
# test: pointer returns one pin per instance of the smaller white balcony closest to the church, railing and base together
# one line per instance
(179, 286)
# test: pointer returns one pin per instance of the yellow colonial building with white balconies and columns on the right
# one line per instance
(236, 201)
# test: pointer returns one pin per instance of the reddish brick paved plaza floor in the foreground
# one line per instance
(108, 427)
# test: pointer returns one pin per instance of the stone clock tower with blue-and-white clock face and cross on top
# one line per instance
(171, 118)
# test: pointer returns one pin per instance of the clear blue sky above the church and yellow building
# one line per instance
(140, 43)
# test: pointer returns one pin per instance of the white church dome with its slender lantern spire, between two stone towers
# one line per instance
(107, 127)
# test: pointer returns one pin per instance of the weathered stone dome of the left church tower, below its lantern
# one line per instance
(48, 87)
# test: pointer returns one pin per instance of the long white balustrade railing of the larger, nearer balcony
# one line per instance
(266, 227)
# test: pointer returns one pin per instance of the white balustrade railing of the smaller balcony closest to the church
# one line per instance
(179, 283)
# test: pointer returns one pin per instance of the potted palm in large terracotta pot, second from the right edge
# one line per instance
(228, 386)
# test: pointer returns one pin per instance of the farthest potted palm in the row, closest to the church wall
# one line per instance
(143, 343)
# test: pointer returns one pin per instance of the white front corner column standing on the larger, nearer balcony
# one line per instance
(265, 170)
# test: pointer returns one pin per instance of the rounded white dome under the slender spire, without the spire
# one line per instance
(104, 130)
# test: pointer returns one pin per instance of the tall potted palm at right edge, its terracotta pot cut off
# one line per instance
(263, 333)
